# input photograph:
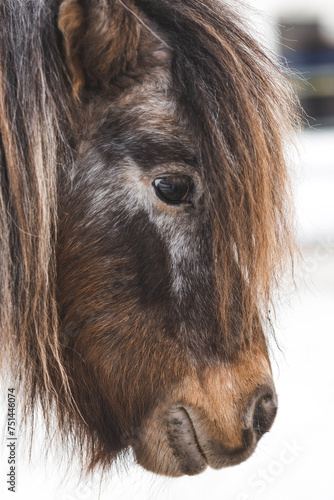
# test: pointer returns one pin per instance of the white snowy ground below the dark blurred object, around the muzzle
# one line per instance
(295, 460)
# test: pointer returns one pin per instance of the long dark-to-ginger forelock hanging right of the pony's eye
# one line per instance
(242, 111)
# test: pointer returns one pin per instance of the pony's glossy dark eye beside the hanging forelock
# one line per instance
(174, 189)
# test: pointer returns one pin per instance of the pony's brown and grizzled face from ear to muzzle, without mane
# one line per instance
(138, 280)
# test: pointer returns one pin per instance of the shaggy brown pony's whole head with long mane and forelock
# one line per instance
(145, 218)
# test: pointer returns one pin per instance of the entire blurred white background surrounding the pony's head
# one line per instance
(295, 460)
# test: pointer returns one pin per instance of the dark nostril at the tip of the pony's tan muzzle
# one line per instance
(261, 410)
